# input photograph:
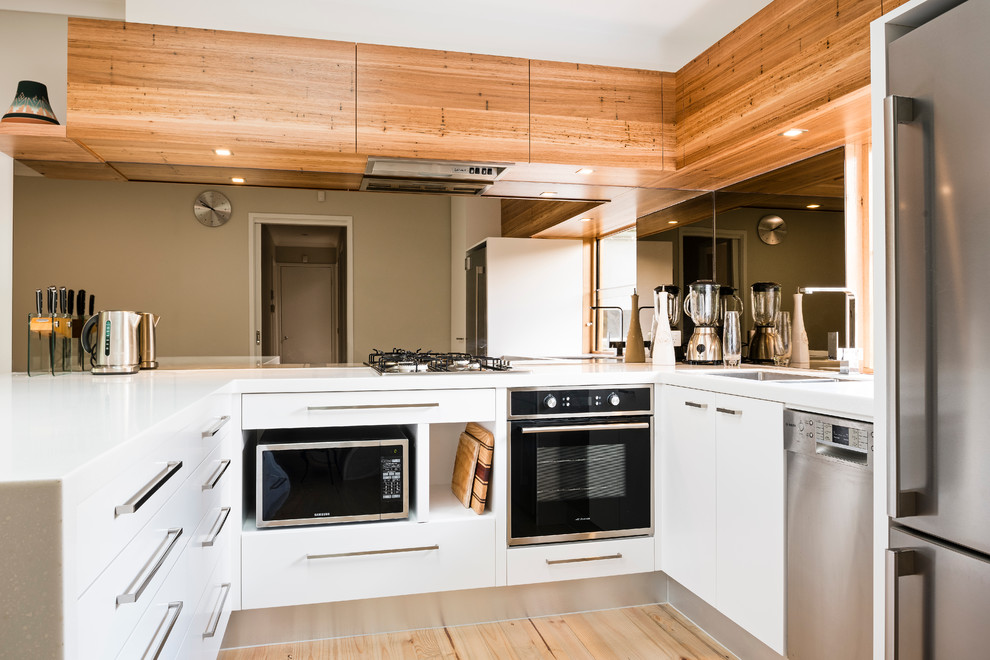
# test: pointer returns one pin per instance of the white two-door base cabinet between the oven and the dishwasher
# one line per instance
(722, 492)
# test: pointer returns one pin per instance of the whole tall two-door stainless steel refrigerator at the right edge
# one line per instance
(937, 144)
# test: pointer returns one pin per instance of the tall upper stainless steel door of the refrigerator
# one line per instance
(940, 383)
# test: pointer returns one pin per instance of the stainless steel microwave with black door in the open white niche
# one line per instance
(331, 475)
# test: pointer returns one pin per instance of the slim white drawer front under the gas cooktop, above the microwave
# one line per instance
(313, 409)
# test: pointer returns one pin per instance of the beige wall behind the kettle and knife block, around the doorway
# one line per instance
(138, 246)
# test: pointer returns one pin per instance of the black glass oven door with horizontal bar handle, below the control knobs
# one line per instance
(580, 479)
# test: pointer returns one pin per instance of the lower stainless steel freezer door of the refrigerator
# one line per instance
(940, 597)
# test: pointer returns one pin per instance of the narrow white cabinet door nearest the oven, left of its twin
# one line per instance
(687, 489)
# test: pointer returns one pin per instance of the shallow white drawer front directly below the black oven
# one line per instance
(585, 559)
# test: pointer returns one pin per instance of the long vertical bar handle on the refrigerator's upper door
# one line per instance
(896, 110)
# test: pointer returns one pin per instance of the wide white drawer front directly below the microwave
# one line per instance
(295, 567)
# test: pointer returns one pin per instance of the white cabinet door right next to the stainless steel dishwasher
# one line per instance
(750, 515)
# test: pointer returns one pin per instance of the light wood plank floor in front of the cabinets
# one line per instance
(651, 632)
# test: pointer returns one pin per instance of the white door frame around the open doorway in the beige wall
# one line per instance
(255, 221)
